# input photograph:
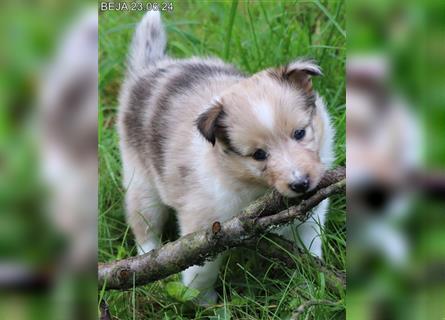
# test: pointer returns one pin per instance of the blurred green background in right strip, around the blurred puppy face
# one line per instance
(410, 34)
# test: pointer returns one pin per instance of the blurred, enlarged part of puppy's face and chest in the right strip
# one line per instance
(383, 150)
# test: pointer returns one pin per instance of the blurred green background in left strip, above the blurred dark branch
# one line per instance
(30, 34)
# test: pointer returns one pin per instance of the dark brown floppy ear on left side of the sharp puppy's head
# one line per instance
(209, 122)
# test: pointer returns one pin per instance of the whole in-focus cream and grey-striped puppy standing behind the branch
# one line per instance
(198, 136)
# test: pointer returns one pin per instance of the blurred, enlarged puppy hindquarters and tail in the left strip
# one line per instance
(68, 140)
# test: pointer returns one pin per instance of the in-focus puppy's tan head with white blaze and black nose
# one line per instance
(267, 129)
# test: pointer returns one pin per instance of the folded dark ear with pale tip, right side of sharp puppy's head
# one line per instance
(300, 73)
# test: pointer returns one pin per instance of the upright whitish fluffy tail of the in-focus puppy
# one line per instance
(148, 45)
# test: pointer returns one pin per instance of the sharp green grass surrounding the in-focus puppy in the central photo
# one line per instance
(253, 36)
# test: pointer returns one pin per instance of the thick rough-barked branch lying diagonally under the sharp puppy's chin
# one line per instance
(197, 247)
